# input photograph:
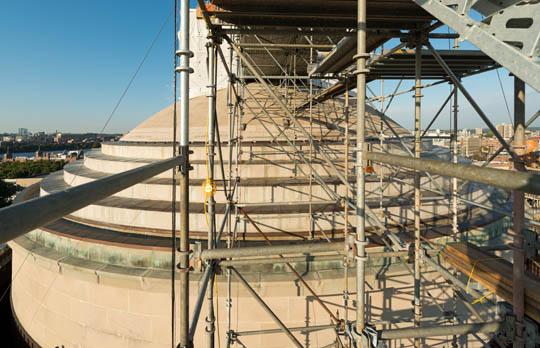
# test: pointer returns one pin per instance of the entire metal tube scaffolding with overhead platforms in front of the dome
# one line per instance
(295, 67)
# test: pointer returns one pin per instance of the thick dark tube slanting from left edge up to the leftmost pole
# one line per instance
(24, 217)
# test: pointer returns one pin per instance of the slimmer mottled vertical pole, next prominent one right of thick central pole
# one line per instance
(417, 152)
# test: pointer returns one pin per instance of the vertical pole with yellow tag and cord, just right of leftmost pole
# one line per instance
(210, 186)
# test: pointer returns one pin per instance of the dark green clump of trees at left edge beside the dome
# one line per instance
(28, 169)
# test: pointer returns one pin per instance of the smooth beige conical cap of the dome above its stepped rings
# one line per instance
(257, 106)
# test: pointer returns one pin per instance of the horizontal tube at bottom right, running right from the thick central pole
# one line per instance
(441, 330)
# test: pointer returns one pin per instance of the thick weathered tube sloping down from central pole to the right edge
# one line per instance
(506, 179)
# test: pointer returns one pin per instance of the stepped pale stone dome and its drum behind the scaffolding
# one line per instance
(105, 269)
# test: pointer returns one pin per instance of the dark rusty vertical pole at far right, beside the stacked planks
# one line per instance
(518, 210)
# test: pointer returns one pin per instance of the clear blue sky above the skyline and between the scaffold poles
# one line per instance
(64, 64)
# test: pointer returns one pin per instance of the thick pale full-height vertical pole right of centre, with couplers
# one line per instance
(361, 57)
